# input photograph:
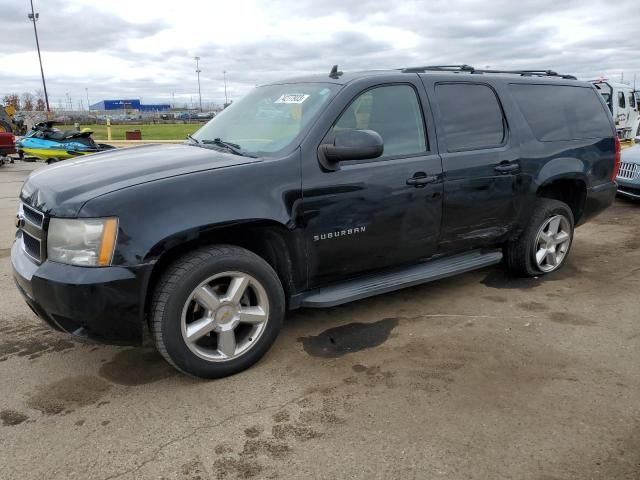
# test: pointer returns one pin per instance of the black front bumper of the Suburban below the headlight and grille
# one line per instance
(105, 304)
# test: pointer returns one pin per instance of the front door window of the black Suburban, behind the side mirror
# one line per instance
(394, 112)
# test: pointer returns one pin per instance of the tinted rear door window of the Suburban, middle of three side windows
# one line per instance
(471, 116)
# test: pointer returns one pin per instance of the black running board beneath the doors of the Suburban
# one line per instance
(359, 288)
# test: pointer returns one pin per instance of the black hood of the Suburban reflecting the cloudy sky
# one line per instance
(63, 188)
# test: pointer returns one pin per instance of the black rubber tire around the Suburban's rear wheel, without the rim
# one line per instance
(520, 253)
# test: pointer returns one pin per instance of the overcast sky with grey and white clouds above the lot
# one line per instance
(145, 48)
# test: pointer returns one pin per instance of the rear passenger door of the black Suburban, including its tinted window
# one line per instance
(480, 163)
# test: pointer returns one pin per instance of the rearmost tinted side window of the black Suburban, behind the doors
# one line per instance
(562, 112)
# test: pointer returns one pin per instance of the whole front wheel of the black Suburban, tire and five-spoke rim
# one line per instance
(217, 311)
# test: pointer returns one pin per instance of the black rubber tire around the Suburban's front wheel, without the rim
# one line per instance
(174, 290)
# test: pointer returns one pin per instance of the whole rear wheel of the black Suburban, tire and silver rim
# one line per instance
(544, 245)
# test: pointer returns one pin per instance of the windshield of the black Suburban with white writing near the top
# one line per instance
(269, 118)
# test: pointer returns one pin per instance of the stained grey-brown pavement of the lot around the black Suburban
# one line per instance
(481, 376)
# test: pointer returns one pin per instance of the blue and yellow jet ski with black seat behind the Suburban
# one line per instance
(50, 144)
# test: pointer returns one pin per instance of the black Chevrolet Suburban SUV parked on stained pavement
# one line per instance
(313, 192)
